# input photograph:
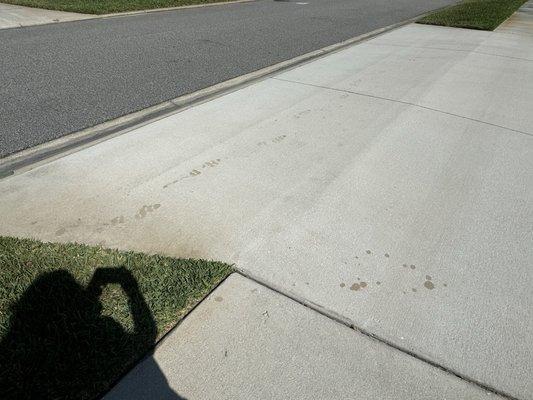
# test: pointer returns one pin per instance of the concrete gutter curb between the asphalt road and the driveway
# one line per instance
(34, 156)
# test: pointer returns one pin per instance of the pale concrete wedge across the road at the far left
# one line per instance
(12, 16)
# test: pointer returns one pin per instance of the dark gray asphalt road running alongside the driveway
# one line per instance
(57, 79)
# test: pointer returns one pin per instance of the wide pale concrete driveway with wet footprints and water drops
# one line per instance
(389, 183)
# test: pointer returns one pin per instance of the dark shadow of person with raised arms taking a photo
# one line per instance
(60, 346)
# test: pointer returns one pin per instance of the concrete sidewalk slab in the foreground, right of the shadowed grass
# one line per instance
(247, 342)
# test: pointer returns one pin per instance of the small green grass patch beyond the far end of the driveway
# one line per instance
(475, 14)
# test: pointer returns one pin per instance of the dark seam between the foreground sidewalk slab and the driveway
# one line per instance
(350, 324)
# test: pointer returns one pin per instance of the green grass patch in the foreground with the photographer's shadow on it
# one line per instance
(75, 318)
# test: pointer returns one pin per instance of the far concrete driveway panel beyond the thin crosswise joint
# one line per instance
(466, 73)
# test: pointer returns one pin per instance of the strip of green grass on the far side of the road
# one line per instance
(106, 6)
